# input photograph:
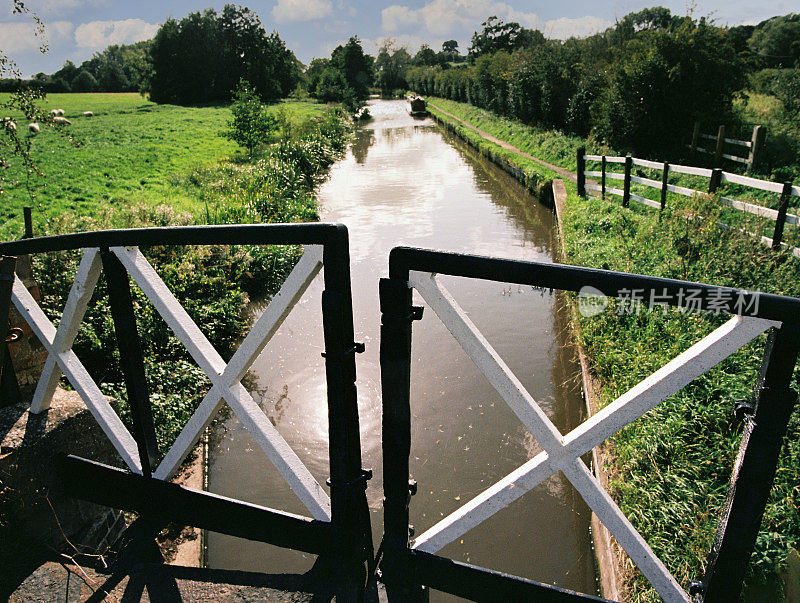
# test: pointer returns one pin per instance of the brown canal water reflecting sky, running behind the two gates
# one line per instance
(405, 181)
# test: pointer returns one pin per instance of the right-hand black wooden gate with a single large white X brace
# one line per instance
(407, 565)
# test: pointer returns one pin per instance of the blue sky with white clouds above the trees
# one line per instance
(76, 29)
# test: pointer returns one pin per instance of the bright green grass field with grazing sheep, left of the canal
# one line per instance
(131, 151)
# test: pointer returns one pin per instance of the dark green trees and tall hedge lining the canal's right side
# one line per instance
(636, 85)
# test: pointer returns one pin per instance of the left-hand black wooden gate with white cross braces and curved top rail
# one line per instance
(339, 527)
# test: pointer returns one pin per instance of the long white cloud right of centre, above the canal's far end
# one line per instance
(449, 17)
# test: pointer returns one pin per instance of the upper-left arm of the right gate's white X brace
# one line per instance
(487, 360)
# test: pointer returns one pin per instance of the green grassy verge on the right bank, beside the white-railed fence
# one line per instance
(673, 466)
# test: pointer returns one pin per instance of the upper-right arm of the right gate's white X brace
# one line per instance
(668, 380)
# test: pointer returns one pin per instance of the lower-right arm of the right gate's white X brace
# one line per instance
(614, 519)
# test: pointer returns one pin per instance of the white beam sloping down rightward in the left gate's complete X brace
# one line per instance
(252, 417)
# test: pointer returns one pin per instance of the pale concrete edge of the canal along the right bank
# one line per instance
(608, 563)
